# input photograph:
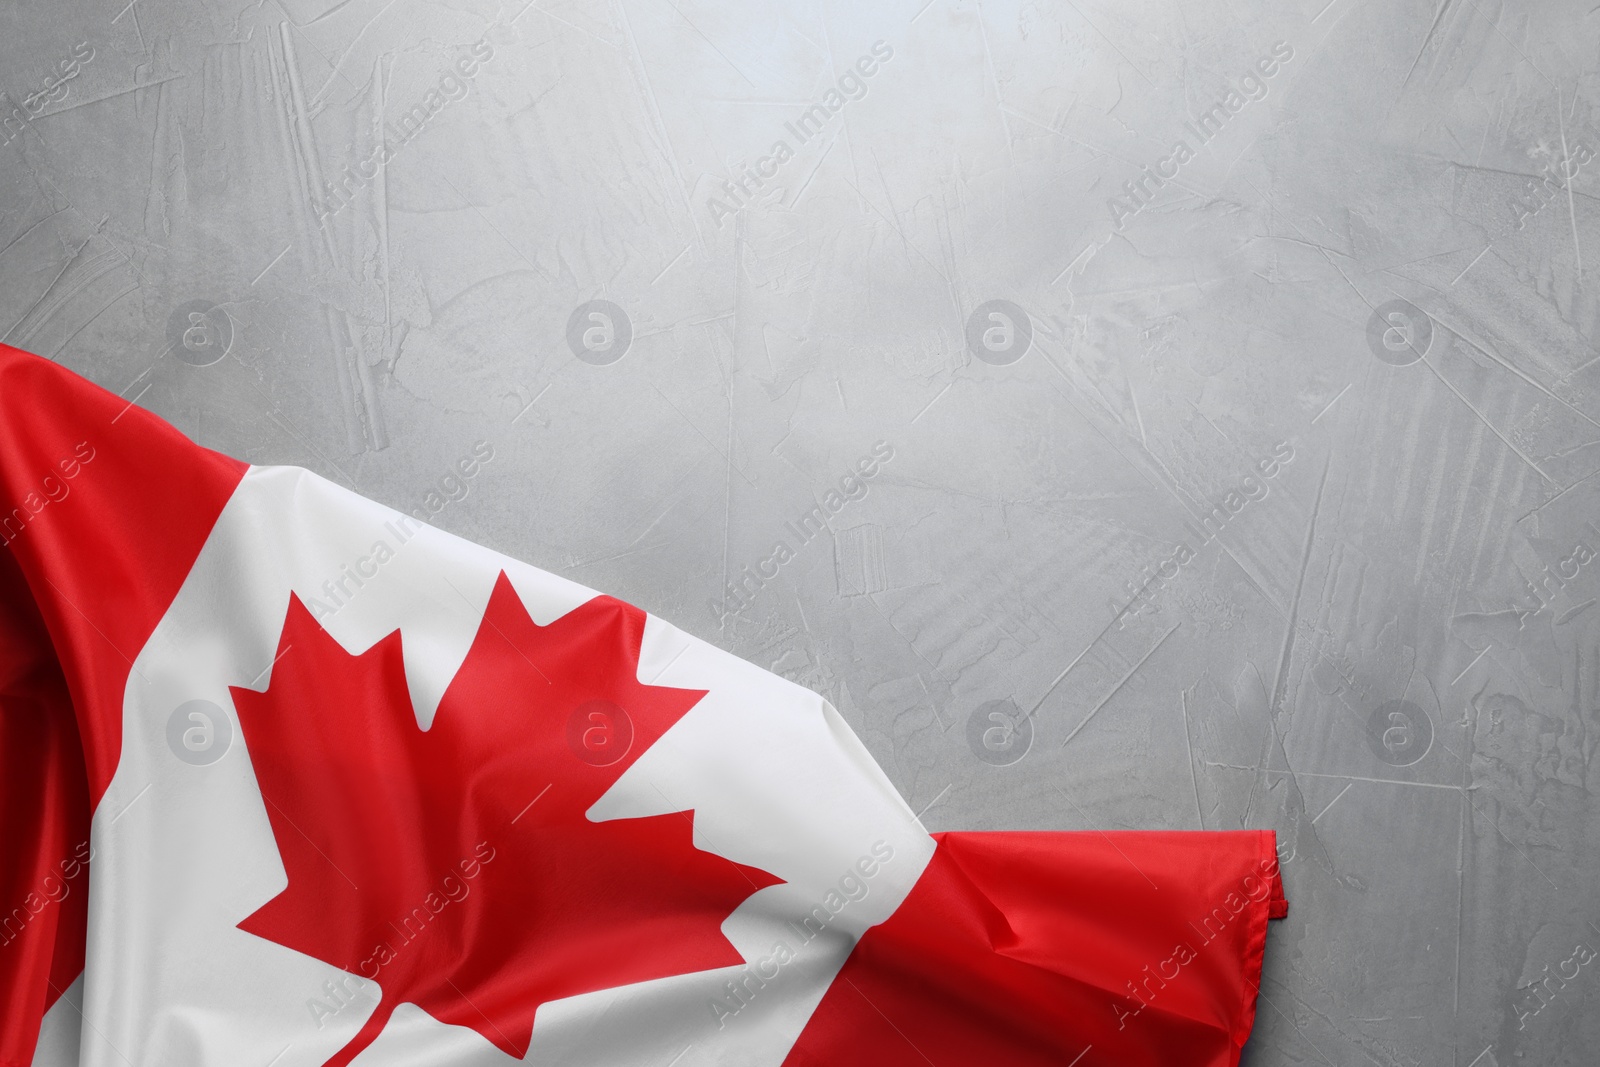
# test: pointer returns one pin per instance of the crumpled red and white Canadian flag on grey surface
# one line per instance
(290, 778)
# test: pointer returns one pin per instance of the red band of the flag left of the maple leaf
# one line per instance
(103, 511)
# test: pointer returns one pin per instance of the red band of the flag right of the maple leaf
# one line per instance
(1129, 949)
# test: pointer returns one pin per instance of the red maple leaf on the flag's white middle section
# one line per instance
(457, 866)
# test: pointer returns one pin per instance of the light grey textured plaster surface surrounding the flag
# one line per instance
(172, 158)
